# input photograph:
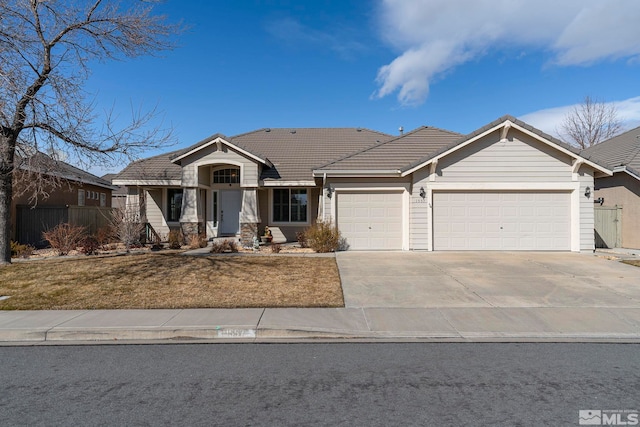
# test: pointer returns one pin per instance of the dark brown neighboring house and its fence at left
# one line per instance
(81, 198)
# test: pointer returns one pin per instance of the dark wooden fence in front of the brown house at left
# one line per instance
(31, 222)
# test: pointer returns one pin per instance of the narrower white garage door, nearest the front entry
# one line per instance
(369, 220)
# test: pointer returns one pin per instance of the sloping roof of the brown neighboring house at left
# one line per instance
(47, 165)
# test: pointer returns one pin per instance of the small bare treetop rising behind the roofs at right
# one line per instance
(590, 122)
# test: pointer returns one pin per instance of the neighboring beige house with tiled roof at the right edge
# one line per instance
(619, 194)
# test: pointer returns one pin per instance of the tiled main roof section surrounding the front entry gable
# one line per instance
(293, 152)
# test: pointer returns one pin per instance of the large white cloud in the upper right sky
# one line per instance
(435, 36)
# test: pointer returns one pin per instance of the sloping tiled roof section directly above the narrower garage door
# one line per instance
(397, 153)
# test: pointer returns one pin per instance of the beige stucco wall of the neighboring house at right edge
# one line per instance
(623, 190)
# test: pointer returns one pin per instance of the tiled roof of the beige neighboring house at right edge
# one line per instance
(621, 150)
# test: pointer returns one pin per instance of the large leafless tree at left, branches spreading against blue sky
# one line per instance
(46, 48)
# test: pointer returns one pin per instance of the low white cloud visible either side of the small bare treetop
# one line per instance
(550, 120)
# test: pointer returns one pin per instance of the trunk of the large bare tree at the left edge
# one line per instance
(7, 153)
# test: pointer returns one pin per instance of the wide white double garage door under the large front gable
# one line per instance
(502, 221)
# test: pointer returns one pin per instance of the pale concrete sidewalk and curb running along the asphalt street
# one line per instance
(264, 325)
